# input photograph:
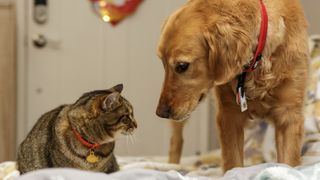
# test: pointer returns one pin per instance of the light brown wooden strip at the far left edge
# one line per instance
(7, 81)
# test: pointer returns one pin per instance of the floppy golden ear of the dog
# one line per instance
(229, 50)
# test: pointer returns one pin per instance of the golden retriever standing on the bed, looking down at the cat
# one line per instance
(205, 45)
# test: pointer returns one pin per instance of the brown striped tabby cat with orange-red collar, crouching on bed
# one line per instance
(80, 135)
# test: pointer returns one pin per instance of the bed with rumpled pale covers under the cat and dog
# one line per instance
(152, 170)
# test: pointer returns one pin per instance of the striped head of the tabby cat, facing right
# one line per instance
(99, 116)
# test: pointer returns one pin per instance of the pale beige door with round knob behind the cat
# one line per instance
(83, 53)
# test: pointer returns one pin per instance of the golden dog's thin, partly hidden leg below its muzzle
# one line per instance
(176, 142)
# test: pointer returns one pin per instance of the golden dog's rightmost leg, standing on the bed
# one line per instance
(289, 134)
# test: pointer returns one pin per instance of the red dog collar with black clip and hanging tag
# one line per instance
(241, 98)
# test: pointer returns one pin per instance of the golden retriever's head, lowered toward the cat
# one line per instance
(199, 48)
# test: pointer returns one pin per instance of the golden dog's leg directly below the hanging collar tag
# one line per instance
(230, 124)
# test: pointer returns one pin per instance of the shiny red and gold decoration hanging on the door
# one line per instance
(115, 11)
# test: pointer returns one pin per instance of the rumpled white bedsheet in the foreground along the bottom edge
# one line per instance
(268, 171)
